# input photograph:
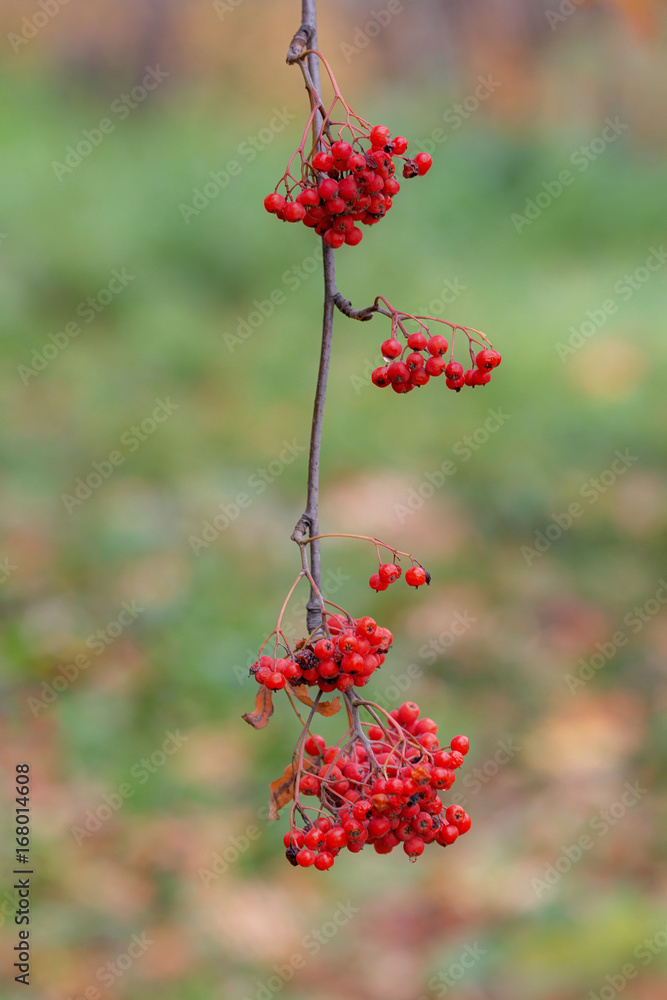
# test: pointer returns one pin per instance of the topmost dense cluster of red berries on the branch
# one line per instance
(344, 184)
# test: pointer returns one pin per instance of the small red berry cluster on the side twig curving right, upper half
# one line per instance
(424, 360)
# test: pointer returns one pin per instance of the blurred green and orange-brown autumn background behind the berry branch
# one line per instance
(132, 325)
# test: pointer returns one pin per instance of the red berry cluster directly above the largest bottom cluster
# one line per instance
(348, 656)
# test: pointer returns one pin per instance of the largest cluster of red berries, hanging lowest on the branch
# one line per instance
(403, 808)
